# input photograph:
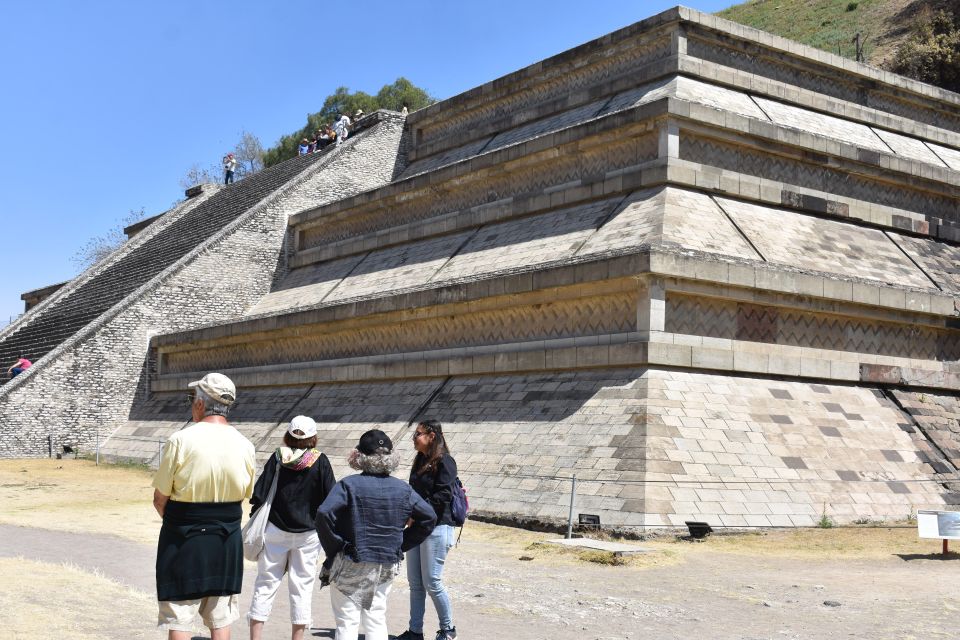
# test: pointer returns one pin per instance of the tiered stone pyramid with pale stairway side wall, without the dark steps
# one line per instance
(711, 272)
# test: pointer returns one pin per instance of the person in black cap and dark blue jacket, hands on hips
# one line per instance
(362, 526)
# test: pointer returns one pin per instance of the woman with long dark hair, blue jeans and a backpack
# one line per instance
(432, 476)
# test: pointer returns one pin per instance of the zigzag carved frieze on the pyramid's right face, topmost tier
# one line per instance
(748, 57)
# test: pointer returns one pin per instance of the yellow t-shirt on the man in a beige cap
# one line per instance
(206, 462)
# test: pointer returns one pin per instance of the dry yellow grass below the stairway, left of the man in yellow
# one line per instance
(77, 495)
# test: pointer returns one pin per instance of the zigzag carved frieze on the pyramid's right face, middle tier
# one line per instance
(815, 176)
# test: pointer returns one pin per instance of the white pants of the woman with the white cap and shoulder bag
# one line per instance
(296, 555)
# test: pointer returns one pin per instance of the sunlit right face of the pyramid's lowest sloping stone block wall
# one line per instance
(755, 452)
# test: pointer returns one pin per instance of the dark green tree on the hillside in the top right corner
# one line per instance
(932, 53)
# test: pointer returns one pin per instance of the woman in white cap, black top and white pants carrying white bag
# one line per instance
(291, 544)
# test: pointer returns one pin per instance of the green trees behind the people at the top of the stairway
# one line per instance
(391, 96)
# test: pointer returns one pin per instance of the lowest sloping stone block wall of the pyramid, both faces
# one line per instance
(650, 447)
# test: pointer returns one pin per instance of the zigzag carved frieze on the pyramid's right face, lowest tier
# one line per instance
(711, 317)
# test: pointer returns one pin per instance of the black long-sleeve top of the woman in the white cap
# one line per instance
(299, 493)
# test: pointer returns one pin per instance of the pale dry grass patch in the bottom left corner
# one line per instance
(42, 600)
